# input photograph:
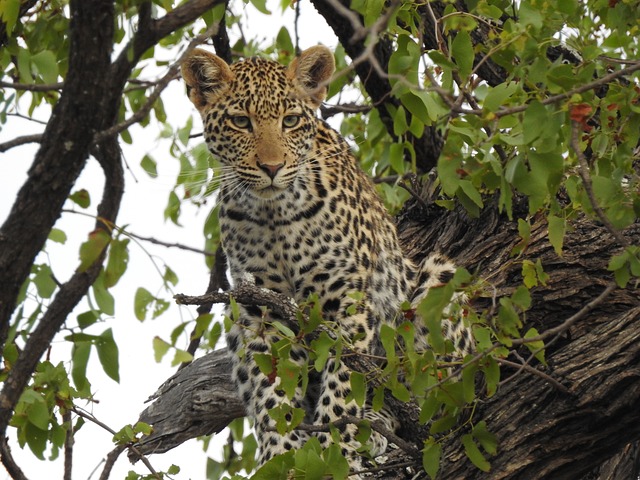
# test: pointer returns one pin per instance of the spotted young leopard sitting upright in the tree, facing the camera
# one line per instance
(298, 216)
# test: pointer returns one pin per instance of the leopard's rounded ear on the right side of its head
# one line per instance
(311, 72)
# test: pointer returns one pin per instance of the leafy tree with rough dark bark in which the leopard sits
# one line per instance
(529, 112)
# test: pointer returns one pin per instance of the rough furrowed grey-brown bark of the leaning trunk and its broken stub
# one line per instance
(544, 431)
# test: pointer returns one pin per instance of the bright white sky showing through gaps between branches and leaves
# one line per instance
(142, 210)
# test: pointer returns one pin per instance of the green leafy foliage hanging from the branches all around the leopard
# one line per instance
(558, 124)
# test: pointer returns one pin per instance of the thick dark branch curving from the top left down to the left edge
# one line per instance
(64, 148)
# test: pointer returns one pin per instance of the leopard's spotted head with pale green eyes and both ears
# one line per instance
(258, 115)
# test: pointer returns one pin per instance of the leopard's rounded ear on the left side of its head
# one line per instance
(206, 75)
